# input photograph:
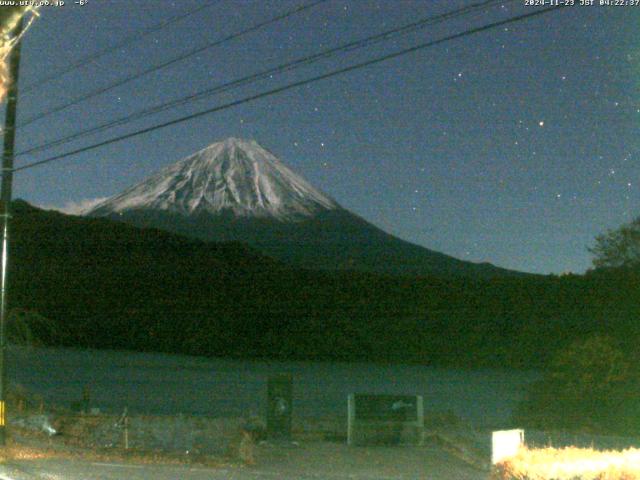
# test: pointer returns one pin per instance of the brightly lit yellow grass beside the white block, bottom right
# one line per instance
(570, 464)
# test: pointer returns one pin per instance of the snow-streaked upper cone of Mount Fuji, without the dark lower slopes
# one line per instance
(235, 176)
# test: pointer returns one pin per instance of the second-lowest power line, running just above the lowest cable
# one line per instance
(307, 60)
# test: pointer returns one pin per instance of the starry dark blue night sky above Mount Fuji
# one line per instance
(514, 146)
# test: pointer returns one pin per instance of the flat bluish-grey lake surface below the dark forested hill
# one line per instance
(170, 384)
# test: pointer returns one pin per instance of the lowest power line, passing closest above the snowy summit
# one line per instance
(291, 86)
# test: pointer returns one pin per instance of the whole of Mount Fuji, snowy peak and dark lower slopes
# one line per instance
(236, 190)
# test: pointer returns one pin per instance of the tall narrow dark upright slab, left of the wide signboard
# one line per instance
(279, 407)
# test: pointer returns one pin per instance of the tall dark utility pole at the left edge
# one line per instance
(5, 213)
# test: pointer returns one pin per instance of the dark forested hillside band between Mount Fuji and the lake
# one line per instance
(108, 285)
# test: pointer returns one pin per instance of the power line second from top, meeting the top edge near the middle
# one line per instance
(174, 60)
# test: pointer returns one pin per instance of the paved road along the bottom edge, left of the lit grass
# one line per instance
(423, 464)
